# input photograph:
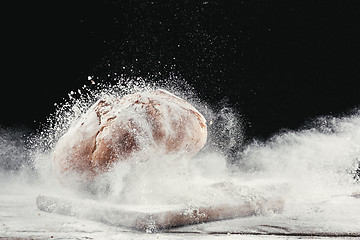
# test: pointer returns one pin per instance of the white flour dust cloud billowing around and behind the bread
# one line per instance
(306, 165)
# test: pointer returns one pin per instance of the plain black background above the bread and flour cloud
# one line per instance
(278, 63)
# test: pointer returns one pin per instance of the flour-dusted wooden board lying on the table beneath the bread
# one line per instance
(155, 218)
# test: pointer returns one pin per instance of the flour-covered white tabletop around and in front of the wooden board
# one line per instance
(333, 216)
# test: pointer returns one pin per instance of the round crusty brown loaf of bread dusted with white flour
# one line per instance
(135, 127)
